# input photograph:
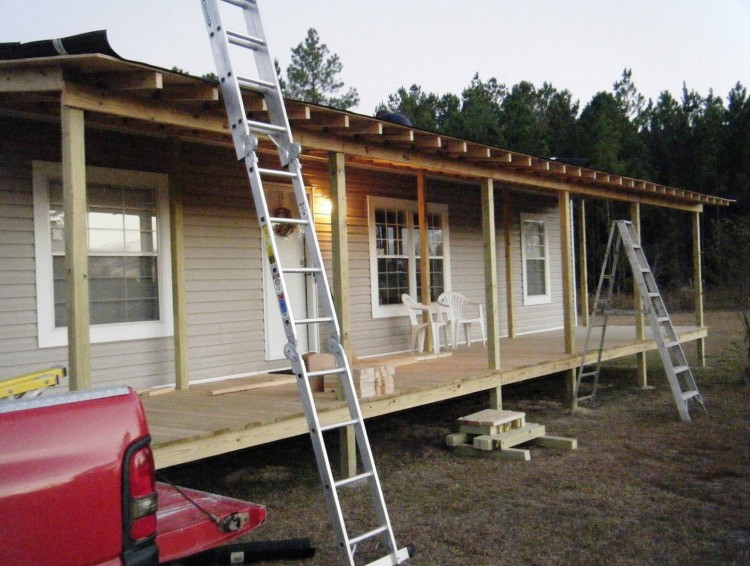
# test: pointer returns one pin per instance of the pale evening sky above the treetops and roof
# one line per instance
(579, 45)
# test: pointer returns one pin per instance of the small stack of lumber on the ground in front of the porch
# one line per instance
(499, 432)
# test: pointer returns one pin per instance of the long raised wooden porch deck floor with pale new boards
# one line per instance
(190, 425)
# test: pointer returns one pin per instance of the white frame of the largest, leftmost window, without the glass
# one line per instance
(49, 335)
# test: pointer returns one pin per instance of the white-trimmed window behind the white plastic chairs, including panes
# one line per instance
(395, 252)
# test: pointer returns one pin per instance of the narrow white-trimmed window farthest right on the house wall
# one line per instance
(535, 260)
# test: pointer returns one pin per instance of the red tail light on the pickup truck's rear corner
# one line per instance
(141, 490)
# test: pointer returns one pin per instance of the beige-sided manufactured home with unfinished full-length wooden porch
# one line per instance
(131, 253)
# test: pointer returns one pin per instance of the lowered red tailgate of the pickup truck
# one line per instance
(183, 529)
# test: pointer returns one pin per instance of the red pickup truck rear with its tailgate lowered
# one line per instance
(77, 487)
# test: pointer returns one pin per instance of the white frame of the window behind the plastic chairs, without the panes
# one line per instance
(410, 209)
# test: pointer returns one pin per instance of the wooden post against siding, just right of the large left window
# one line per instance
(177, 248)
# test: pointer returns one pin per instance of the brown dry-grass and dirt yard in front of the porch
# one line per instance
(642, 488)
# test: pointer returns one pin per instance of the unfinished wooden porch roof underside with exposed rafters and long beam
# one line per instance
(131, 96)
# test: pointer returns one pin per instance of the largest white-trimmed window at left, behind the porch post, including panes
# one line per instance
(127, 226)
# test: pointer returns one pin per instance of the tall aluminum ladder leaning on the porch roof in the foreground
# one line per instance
(245, 133)
